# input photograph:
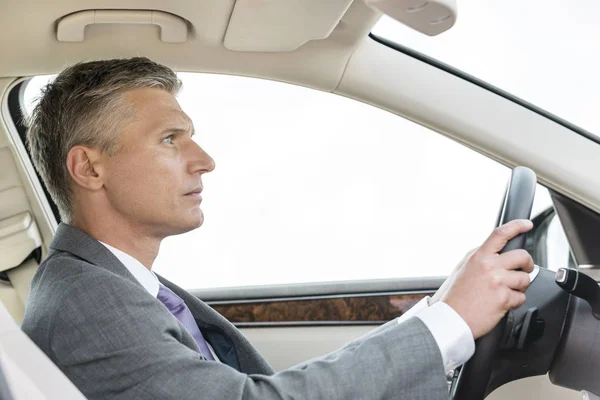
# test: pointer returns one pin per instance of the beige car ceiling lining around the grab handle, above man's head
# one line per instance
(30, 46)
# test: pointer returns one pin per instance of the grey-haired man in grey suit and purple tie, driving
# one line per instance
(116, 153)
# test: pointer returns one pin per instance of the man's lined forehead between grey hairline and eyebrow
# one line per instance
(156, 107)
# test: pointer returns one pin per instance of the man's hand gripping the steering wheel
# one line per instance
(486, 285)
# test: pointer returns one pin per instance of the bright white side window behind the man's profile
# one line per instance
(314, 187)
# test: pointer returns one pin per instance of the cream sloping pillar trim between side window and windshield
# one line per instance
(513, 135)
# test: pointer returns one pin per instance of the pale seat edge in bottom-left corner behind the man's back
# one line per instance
(28, 372)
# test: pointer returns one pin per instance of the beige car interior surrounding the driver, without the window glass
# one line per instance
(546, 349)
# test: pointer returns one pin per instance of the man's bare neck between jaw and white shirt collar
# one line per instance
(121, 235)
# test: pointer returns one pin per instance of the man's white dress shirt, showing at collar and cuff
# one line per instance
(451, 333)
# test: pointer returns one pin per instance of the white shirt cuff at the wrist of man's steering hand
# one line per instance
(451, 333)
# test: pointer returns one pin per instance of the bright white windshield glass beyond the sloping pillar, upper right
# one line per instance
(544, 52)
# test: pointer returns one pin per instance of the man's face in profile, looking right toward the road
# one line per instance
(155, 178)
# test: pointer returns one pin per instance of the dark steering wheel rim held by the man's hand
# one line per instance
(473, 378)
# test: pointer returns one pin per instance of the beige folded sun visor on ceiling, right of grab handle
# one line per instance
(283, 25)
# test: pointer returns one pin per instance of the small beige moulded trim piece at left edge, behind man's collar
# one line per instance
(19, 236)
